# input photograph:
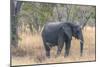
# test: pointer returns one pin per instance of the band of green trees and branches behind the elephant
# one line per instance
(35, 15)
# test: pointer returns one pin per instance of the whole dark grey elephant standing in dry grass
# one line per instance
(58, 33)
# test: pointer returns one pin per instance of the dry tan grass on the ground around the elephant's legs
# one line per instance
(31, 50)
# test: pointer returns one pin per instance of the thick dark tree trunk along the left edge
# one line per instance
(15, 8)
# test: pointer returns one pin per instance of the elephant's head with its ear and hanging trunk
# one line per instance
(75, 31)
